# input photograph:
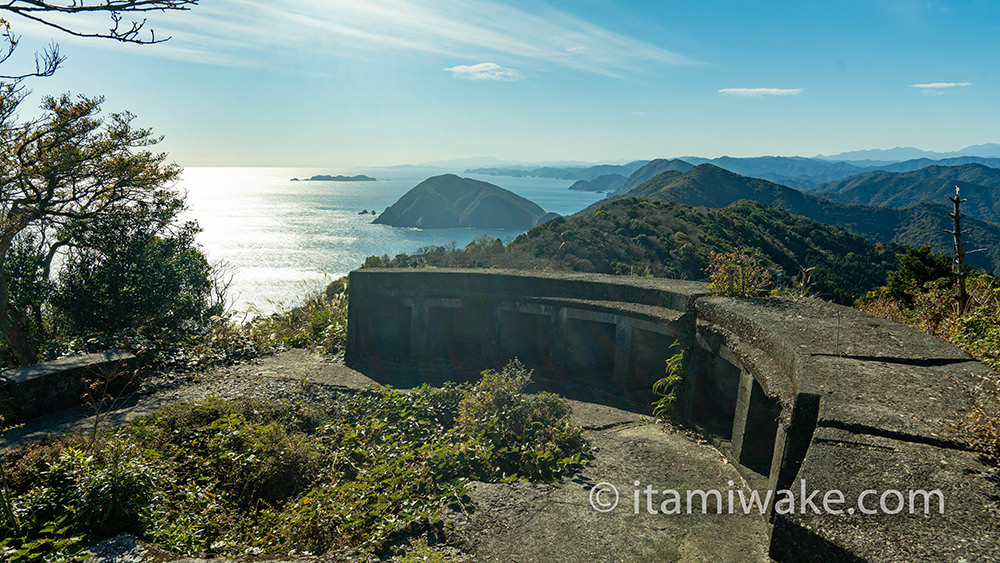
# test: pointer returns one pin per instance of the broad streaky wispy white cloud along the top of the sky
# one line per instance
(267, 33)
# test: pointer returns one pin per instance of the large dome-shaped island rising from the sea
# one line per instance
(450, 201)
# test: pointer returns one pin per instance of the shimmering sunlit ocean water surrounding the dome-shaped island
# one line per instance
(281, 239)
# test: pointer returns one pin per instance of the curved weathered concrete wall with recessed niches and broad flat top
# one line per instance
(801, 394)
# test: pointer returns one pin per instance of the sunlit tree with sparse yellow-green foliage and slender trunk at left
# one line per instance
(62, 176)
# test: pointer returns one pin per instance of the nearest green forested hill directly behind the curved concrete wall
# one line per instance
(640, 237)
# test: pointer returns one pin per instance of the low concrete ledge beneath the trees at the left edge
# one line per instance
(32, 391)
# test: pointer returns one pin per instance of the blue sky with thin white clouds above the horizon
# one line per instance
(344, 84)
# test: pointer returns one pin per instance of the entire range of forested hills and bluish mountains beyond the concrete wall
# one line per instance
(667, 217)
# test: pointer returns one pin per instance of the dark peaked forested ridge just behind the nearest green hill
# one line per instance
(710, 186)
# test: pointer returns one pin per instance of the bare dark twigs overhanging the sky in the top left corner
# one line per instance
(47, 12)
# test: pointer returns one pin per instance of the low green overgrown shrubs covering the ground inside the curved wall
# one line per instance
(246, 476)
